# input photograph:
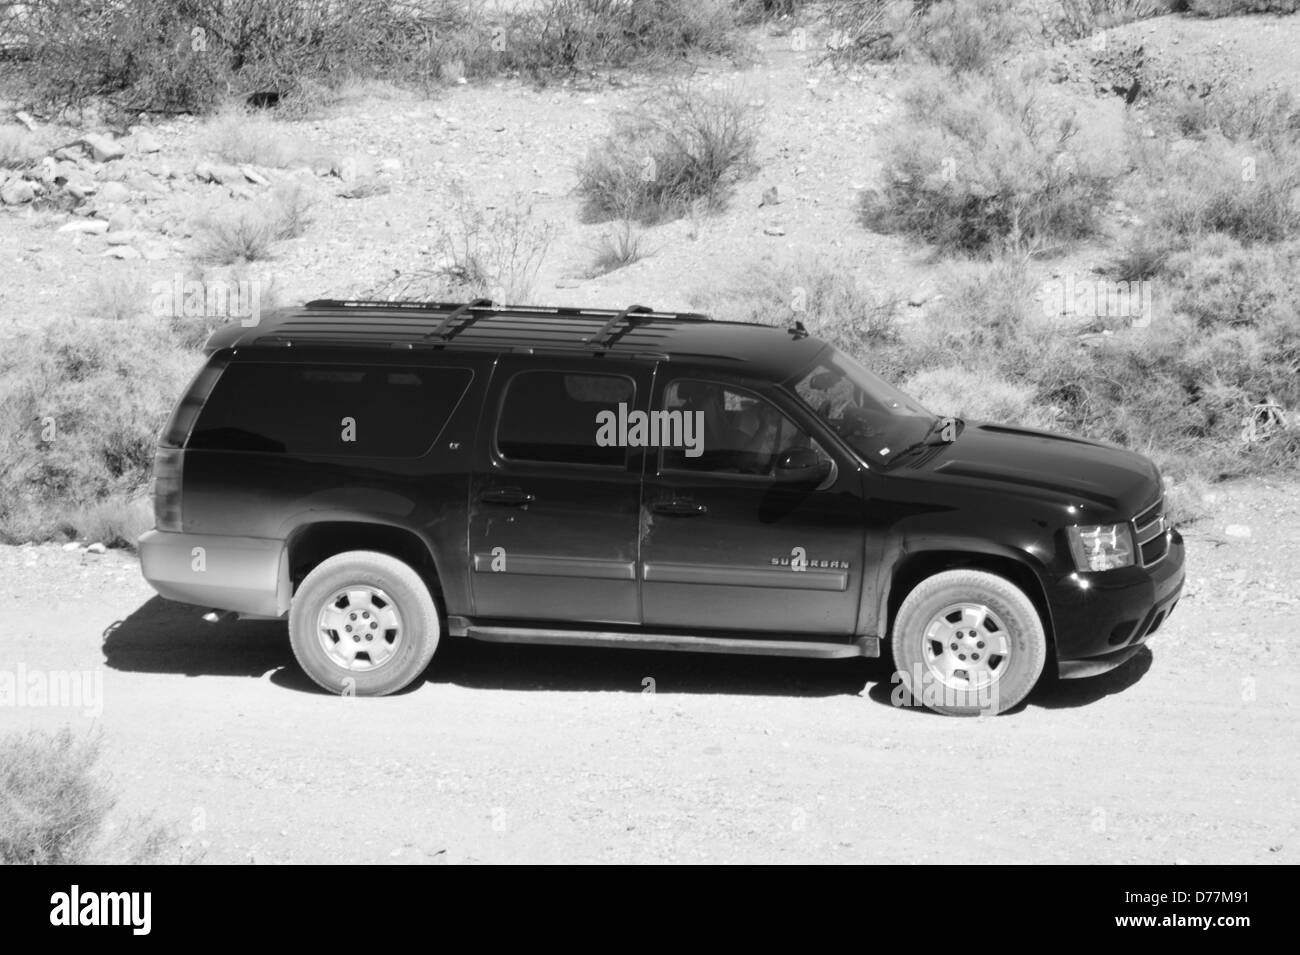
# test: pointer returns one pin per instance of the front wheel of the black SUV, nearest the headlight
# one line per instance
(968, 643)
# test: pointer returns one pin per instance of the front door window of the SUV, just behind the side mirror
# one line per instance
(729, 429)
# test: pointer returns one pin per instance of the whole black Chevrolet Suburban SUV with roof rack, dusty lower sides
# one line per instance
(387, 474)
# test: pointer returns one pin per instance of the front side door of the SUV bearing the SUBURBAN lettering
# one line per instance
(729, 545)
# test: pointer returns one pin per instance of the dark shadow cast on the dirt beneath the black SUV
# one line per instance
(167, 637)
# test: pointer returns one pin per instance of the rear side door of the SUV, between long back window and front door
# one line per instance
(554, 511)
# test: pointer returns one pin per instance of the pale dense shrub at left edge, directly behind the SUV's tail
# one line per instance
(83, 403)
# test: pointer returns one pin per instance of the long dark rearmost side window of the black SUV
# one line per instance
(382, 411)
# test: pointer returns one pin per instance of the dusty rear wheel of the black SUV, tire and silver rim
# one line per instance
(363, 624)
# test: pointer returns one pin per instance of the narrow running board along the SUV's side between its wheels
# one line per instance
(639, 640)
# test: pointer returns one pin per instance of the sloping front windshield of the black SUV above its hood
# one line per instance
(876, 419)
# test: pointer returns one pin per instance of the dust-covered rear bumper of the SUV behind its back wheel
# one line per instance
(229, 574)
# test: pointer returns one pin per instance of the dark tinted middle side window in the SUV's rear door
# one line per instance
(551, 416)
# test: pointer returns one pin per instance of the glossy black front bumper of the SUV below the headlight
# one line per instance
(1102, 620)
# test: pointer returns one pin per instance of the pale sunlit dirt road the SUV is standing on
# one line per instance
(536, 754)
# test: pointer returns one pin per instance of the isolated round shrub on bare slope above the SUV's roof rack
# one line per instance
(682, 147)
